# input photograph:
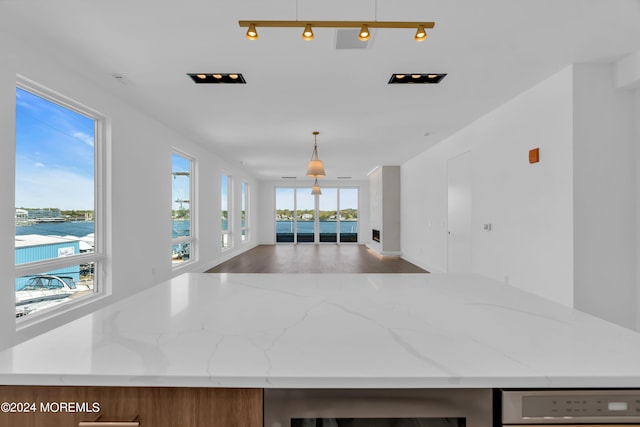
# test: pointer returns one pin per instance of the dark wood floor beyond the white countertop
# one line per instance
(314, 259)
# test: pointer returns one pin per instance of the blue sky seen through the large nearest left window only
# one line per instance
(54, 155)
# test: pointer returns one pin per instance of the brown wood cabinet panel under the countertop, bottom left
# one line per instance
(45, 406)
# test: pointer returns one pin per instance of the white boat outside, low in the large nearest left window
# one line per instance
(43, 291)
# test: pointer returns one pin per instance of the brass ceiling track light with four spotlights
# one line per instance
(307, 34)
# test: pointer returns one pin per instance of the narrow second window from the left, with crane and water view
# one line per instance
(182, 243)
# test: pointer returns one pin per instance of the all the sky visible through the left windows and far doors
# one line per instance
(55, 162)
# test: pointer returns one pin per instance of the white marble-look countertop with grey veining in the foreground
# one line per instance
(330, 331)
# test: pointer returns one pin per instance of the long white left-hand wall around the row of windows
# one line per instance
(139, 186)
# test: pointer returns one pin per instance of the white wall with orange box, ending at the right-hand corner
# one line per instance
(529, 206)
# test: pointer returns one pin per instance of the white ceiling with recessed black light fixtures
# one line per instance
(491, 50)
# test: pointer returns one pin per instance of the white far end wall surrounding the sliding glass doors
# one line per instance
(267, 207)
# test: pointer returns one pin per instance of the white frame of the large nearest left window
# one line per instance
(102, 135)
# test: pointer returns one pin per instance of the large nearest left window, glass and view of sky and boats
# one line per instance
(59, 182)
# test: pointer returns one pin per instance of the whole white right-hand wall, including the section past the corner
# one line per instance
(566, 228)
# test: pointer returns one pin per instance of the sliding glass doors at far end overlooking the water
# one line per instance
(331, 217)
